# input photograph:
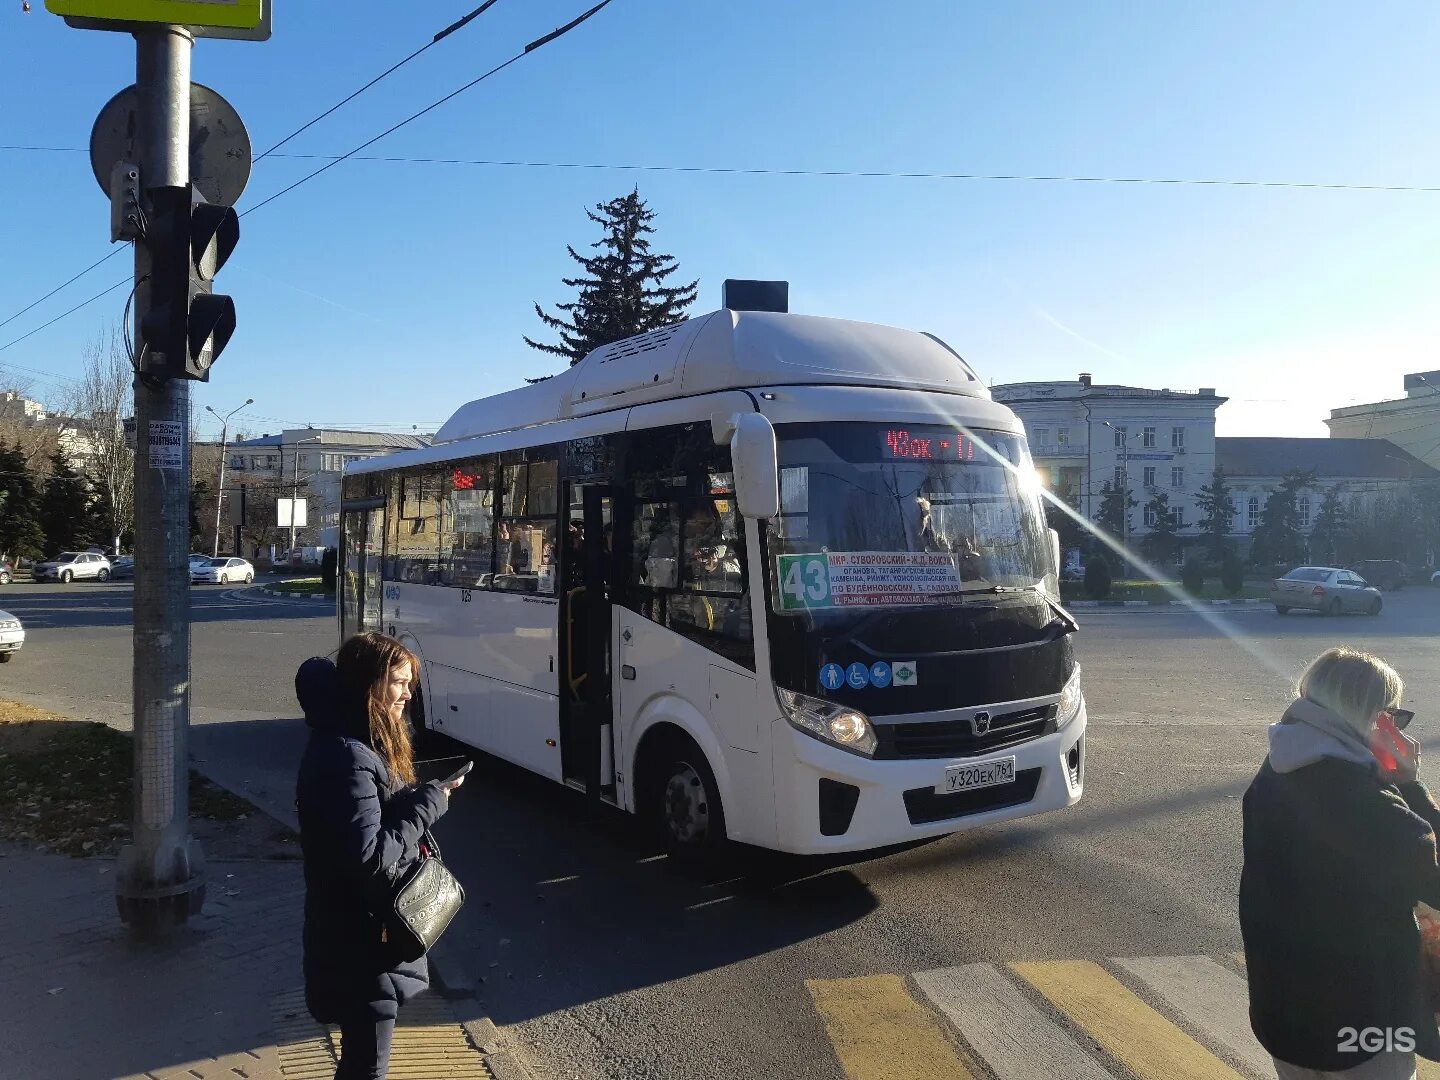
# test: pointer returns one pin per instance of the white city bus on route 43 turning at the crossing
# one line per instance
(760, 577)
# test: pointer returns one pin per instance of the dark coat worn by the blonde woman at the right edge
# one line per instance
(1336, 860)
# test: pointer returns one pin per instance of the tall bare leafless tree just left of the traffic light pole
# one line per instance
(100, 401)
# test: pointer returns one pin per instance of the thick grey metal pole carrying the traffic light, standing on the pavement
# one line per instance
(161, 879)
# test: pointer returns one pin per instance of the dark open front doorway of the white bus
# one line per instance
(587, 729)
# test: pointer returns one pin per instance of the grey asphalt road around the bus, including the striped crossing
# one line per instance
(601, 961)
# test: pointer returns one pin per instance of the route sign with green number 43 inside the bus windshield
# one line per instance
(866, 580)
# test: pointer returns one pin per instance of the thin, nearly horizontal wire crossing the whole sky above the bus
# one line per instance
(840, 174)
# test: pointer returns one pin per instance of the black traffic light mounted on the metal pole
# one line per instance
(186, 326)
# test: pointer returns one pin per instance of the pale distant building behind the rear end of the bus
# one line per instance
(309, 462)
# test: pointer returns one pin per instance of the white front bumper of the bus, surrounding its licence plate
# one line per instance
(829, 800)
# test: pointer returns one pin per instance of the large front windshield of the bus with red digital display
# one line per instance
(885, 516)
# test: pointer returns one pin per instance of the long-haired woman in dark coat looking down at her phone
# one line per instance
(362, 822)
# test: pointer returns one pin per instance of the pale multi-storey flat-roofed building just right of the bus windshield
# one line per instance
(1085, 436)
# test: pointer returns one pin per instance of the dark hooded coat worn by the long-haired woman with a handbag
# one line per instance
(352, 829)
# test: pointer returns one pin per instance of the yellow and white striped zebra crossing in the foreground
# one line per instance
(1138, 1017)
